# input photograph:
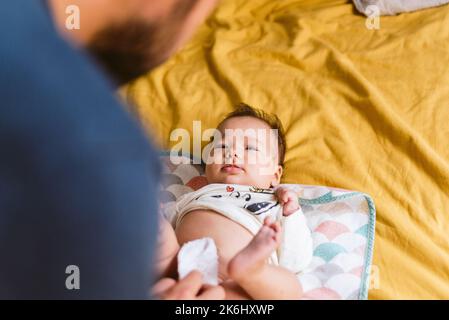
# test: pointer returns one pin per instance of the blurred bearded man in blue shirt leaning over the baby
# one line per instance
(78, 179)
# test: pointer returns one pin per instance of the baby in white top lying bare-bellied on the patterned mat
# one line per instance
(242, 210)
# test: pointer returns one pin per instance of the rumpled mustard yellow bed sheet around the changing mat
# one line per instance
(364, 110)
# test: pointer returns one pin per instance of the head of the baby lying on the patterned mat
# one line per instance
(248, 150)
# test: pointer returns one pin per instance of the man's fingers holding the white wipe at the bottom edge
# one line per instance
(189, 288)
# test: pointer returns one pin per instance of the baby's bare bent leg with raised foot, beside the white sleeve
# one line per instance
(259, 279)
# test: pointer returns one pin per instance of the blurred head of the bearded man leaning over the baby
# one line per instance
(130, 37)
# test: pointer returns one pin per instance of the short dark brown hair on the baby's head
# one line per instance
(244, 110)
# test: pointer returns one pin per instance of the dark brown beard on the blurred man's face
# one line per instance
(130, 49)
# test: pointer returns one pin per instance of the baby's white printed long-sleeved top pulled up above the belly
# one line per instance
(249, 206)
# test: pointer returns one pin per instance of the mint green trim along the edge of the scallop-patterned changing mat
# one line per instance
(327, 198)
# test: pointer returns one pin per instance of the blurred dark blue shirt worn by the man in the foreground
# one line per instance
(78, 178)
